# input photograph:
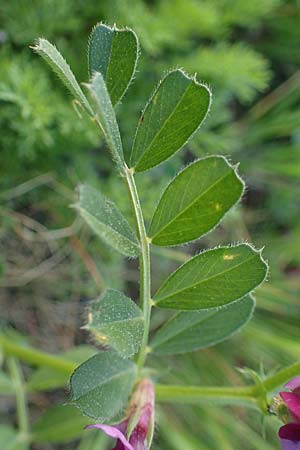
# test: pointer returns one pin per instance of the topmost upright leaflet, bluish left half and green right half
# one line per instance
(113, 53)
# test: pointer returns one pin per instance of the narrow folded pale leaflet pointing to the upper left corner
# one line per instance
(59, 65)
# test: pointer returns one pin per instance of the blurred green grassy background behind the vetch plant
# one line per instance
(51, 265)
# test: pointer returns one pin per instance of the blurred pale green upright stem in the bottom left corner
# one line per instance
(22, 413)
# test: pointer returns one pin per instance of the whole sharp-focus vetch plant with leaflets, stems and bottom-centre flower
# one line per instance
(211, 293)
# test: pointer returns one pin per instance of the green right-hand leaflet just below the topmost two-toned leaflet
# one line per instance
(174, 112)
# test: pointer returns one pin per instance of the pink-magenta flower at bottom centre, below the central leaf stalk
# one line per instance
(135, 432)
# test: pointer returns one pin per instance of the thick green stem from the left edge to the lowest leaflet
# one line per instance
(36, 357)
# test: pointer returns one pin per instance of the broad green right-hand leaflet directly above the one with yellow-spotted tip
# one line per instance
(195, 201)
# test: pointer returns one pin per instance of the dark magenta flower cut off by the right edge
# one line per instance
(289, 434)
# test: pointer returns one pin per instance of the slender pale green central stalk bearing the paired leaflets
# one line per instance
(145, 275)
